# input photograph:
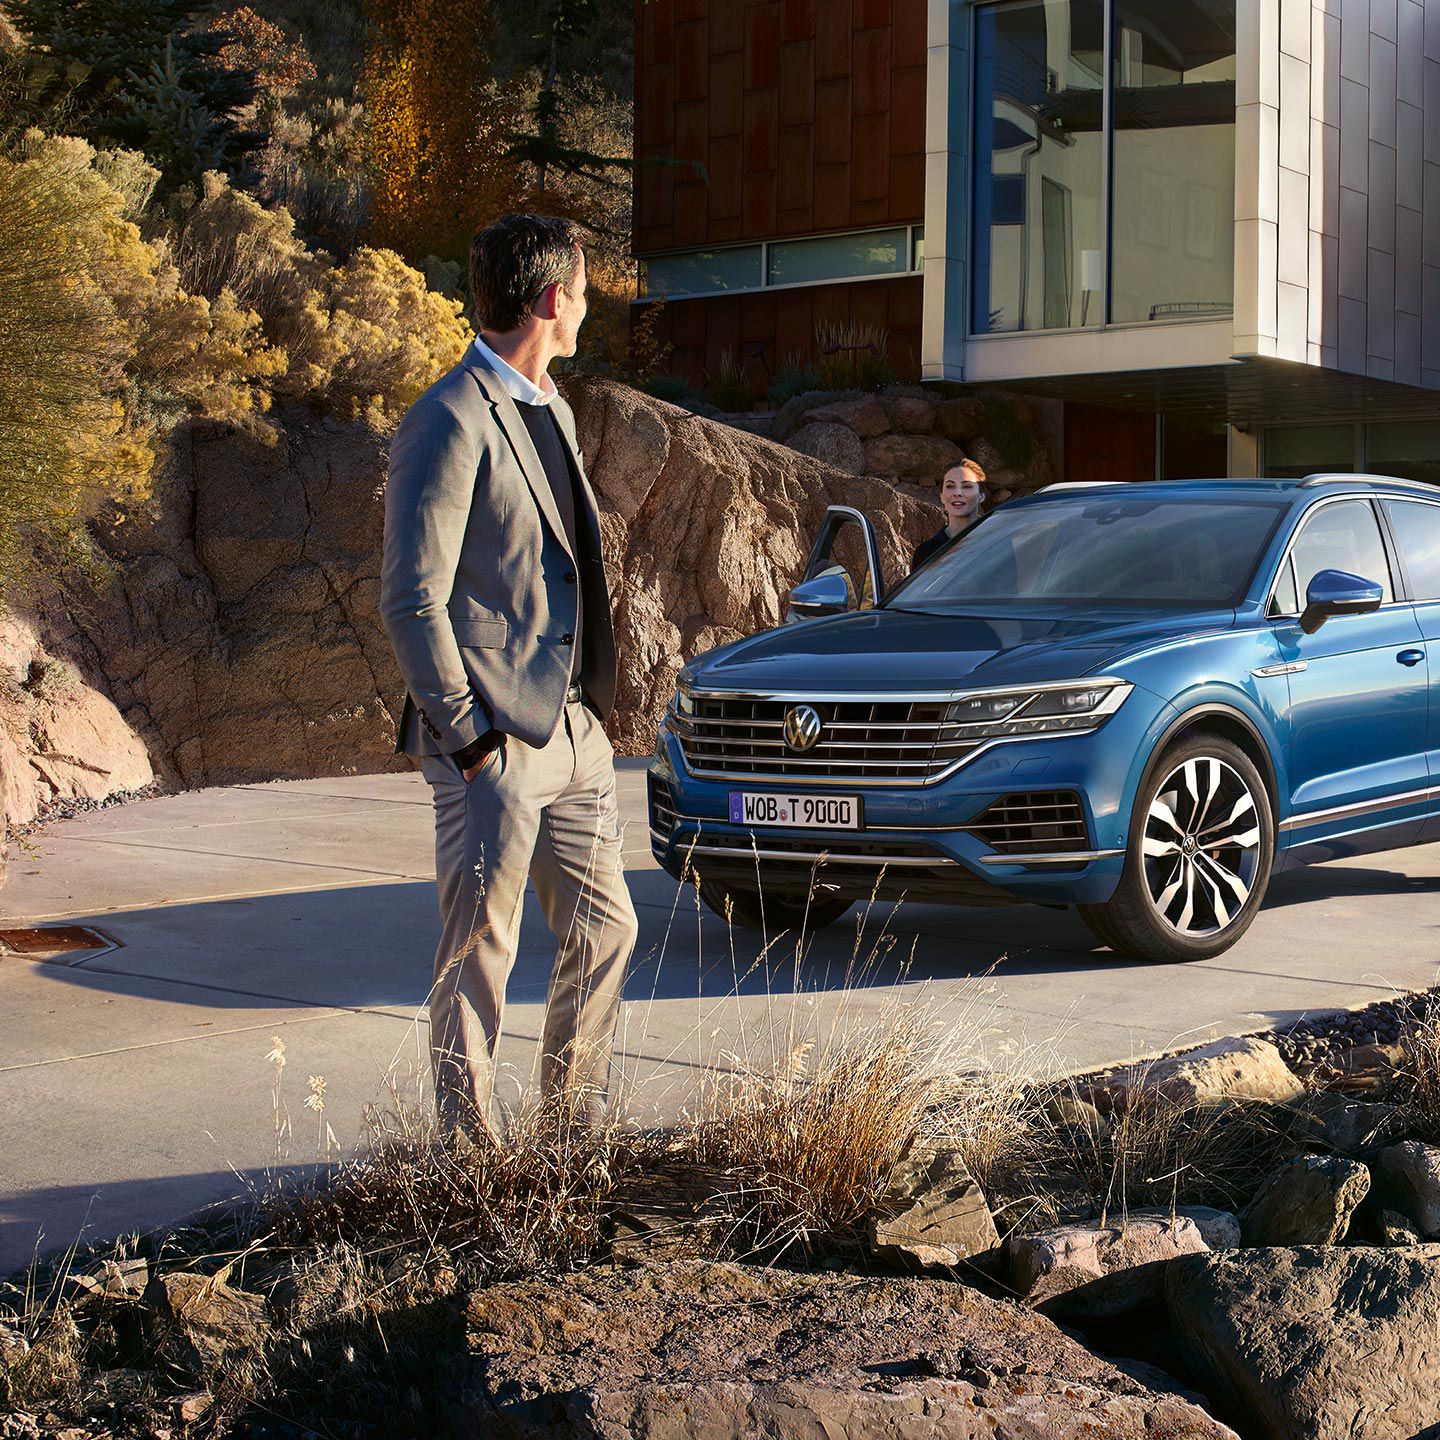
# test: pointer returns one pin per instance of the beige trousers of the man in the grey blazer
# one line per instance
(548, 816)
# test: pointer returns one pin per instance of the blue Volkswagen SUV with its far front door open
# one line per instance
(1140, 701)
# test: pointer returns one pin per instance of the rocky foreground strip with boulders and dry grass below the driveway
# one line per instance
(1203, 1246)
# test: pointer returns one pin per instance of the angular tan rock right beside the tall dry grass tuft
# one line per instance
(935, 1213)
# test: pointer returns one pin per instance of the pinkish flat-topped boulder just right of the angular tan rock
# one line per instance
(1099, 1271)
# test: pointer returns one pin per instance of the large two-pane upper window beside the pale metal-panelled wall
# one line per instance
(1104, 198)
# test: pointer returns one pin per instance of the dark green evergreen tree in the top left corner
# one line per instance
(152, 81)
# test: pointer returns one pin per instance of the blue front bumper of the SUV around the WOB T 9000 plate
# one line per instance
(917, 842)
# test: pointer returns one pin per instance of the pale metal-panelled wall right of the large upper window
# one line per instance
(1338, 185)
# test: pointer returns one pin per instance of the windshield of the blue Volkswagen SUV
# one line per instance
(1143, 549)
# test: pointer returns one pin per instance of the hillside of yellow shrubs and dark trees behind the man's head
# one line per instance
(210, 211)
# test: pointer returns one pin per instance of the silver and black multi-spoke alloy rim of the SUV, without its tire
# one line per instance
(1202, 847)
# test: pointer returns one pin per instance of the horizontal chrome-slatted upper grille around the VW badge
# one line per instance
(905, 741)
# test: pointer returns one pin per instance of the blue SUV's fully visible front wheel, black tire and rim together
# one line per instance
(1199, 860)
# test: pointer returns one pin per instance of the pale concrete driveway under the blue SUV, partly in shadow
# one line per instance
(135, 1085)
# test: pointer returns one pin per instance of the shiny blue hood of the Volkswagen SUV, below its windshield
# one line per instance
(905, 652)
